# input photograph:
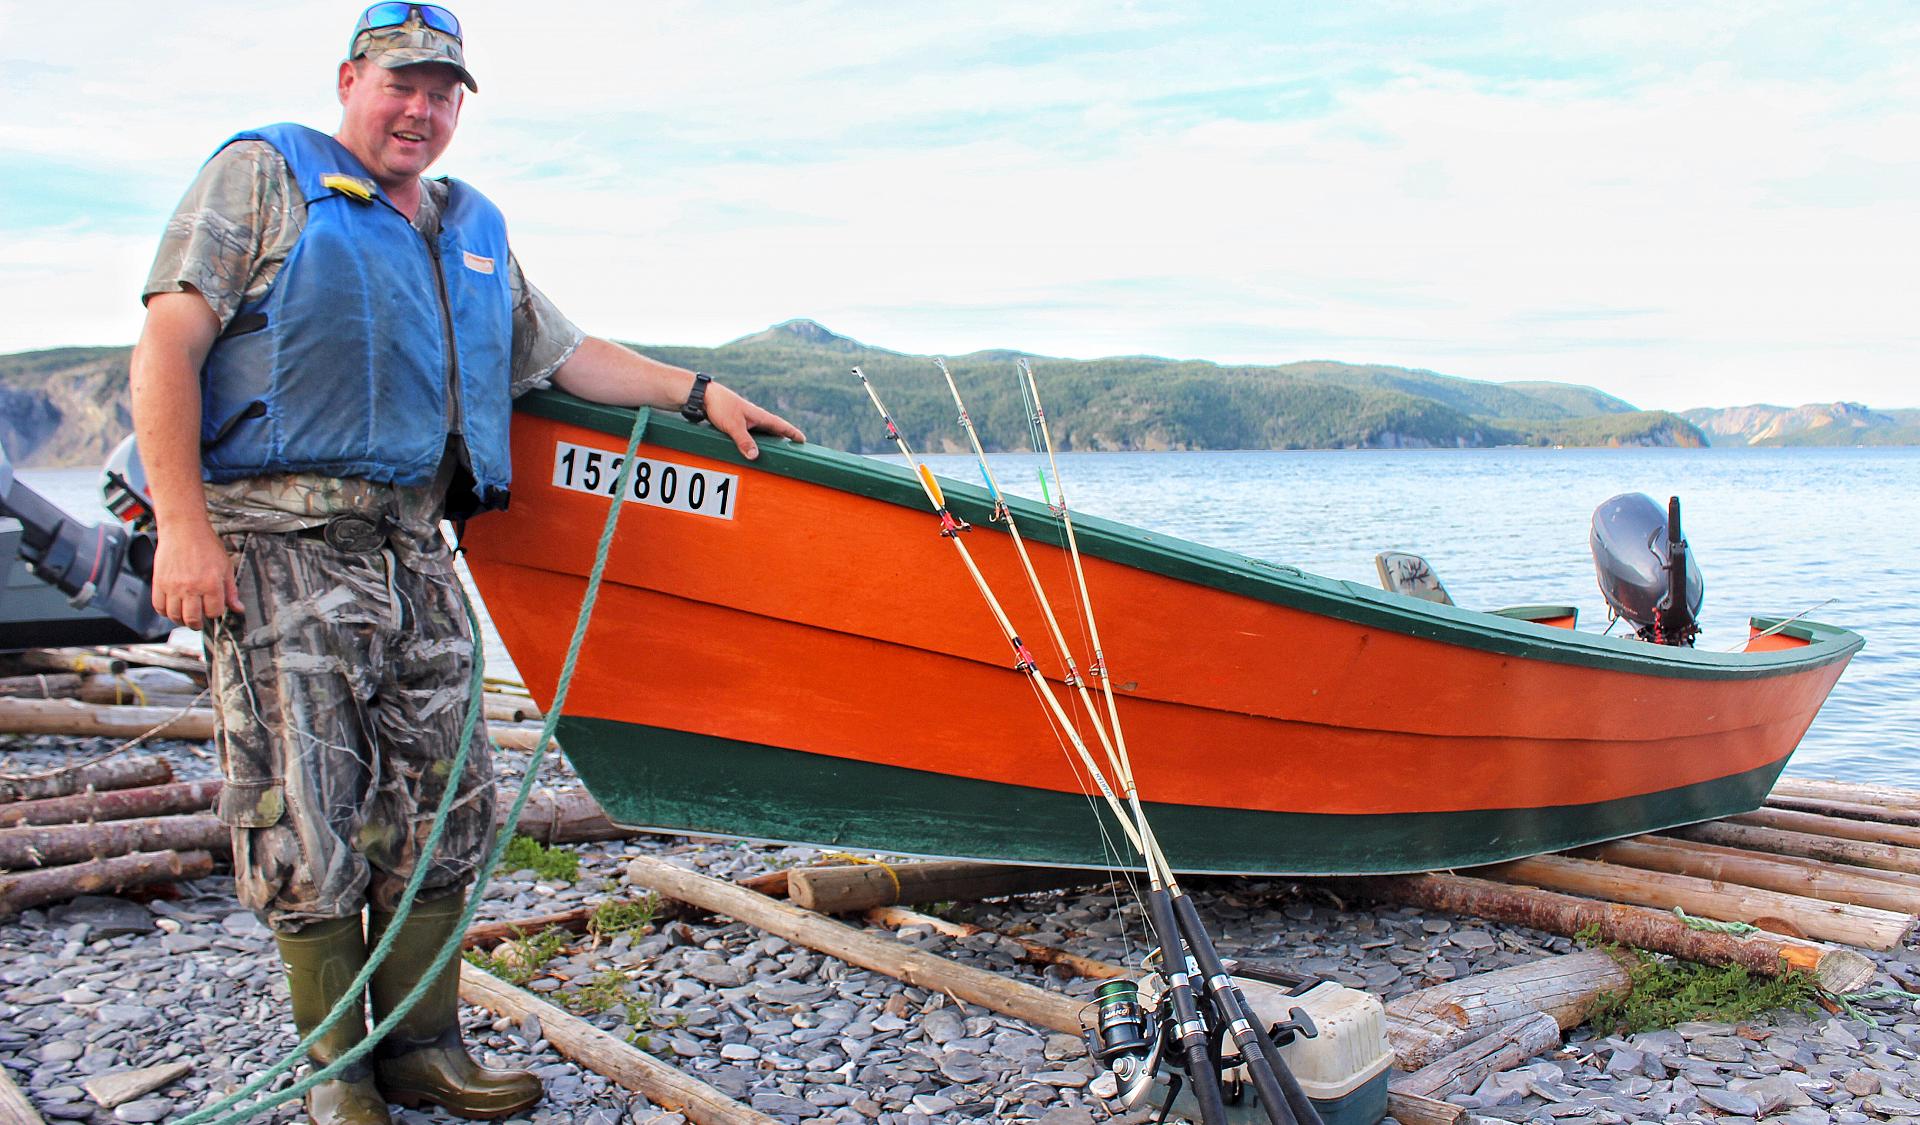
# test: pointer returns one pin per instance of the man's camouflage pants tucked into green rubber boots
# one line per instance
(341, 692)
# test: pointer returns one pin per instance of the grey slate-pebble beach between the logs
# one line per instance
(105, 986)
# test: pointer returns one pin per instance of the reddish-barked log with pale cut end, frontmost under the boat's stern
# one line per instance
(1836, 970)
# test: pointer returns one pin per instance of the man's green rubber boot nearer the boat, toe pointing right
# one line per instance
(423, 1057)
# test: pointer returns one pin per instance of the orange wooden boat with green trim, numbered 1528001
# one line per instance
(786, 650)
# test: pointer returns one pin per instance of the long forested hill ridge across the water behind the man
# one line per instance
(68, 406)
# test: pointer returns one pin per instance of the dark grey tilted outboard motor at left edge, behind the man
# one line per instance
(101, 567)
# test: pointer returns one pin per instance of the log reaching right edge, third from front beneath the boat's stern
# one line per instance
(1788, 874)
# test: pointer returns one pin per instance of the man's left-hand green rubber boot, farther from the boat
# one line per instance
(322, 963)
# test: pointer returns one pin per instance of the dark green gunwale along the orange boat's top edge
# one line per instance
(1218, 569)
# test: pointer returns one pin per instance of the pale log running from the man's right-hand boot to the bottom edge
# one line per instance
(606, 1055)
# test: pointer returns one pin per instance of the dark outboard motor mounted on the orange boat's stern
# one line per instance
(1646, 571)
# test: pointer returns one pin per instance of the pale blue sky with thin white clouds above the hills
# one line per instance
(1681, 204)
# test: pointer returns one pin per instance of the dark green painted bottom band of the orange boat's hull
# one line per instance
(690, 784)
